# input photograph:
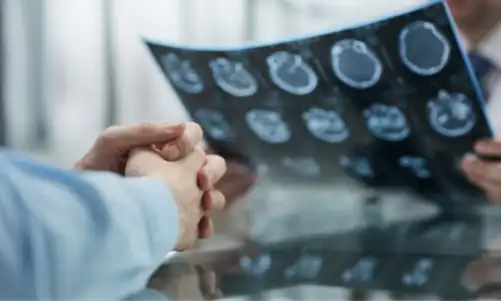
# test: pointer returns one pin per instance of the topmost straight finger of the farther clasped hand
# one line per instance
(126, 137)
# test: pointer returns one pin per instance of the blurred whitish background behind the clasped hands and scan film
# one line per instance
(72, 68)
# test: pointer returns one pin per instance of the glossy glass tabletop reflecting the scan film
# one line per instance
(308, 243)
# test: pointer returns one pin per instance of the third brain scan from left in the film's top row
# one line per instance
(291, 73)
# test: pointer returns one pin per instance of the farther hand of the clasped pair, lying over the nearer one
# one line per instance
(111, 149)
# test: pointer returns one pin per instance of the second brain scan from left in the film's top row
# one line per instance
(233, 78)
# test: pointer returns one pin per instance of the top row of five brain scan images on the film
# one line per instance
(423, 49)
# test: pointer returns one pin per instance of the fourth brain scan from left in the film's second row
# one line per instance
(387, 122)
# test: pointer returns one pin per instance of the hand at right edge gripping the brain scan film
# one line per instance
(485, 174)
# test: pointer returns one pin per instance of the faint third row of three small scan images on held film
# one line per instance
(359, 166)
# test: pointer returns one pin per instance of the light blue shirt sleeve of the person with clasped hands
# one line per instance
(73, 235)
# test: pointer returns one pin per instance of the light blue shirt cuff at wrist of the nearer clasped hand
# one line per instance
(161, 214)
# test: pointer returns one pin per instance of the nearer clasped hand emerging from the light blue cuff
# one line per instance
(183, 177)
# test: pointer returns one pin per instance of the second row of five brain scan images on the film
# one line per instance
(449, 114)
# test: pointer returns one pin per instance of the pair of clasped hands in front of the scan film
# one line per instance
(169, 153)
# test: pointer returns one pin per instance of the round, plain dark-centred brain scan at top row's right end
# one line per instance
(423, 48)
